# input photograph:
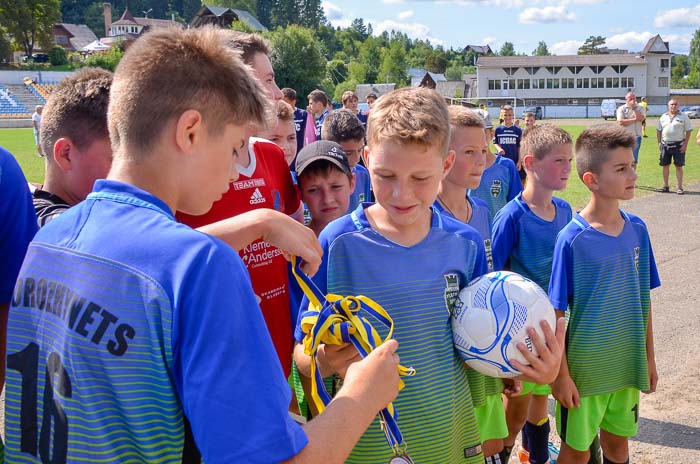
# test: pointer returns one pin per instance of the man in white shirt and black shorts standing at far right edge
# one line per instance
(673, 133)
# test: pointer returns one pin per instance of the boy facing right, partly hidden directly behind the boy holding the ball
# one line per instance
(470, 144)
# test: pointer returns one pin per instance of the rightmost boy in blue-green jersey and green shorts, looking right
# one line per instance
(603, 272)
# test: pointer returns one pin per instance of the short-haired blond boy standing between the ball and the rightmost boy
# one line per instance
(524, 233)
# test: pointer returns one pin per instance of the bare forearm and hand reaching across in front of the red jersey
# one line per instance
(275, 228)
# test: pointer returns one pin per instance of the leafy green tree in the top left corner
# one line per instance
(30, 21)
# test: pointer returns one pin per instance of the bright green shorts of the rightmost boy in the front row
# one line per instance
(616, 413)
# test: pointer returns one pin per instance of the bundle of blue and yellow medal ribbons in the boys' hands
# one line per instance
(333, 320)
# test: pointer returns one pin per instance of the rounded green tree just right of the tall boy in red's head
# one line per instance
(290, 47)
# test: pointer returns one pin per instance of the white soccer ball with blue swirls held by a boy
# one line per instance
(491, 316)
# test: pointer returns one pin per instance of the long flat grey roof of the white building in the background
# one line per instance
(558, 60)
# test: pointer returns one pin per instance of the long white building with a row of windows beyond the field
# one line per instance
(575, 85)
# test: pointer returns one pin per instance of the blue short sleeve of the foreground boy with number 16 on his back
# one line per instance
(226, 371)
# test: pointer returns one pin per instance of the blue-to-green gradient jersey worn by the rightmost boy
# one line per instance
(605, 283)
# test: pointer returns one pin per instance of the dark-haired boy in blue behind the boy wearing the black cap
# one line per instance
(343, 128)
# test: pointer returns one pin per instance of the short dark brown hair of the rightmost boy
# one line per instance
(594, 144)
